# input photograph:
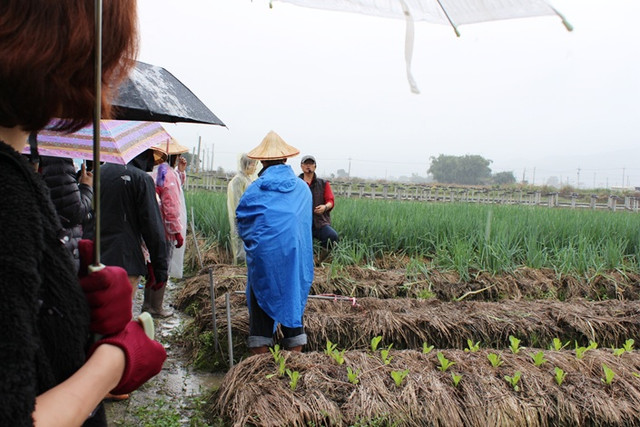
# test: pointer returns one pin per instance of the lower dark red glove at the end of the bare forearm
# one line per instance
(144, 357)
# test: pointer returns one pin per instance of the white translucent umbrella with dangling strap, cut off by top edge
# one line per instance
(448, 12)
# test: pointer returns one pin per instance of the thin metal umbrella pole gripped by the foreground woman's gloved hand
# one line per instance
(97, 116)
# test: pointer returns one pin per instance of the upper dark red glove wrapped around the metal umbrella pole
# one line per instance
(109, 294)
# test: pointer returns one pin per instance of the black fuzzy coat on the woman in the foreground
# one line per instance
(44, 316)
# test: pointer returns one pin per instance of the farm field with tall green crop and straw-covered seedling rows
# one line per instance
(433, 314)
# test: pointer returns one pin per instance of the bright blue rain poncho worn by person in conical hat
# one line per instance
(274, 222)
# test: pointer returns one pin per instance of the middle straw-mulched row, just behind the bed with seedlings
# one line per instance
(408, 323)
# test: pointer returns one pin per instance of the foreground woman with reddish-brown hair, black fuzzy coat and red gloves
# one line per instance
(51, 370)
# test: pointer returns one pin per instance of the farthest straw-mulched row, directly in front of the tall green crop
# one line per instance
(524, 283)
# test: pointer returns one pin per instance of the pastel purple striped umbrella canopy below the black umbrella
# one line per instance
(120, 141)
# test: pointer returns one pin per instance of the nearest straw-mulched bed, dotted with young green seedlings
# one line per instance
(427, 396)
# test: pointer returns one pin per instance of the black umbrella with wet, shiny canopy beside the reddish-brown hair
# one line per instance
(151, 93)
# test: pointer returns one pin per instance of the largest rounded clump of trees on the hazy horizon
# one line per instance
(465, 170)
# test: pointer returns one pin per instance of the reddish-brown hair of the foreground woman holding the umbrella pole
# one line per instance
(47, 59)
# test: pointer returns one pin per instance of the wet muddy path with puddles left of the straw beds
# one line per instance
(175, 396)
